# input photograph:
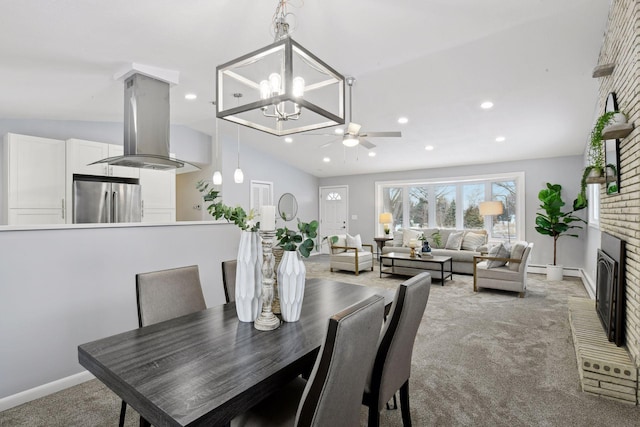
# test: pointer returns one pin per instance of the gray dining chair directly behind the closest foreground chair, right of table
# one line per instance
(392, 365)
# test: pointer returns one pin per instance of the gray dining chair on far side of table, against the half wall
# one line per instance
(166, 294)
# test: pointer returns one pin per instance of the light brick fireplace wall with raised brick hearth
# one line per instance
(604, 368)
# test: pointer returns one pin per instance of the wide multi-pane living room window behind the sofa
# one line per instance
(454, 203)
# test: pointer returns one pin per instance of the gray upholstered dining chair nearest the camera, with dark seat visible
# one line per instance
(331, 396)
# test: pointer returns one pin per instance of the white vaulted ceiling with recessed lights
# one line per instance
(432, 61)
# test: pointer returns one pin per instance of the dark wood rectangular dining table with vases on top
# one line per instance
(207, 367)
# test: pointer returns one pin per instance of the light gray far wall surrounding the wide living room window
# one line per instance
(563, 170)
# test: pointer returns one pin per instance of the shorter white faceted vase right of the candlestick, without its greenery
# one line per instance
(291, 277)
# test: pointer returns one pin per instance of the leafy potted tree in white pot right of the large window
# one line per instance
(552, 221)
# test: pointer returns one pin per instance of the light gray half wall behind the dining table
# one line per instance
(63, 287)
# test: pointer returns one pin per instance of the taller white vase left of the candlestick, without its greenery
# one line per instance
(249, 277)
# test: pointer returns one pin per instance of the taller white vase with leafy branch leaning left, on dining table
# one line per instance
(248, 295)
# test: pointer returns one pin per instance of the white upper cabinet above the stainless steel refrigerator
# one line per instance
(80, 153)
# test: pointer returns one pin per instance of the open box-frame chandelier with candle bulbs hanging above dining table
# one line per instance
(286, 88)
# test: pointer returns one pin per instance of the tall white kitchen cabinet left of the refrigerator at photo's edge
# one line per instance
(33, 180)
